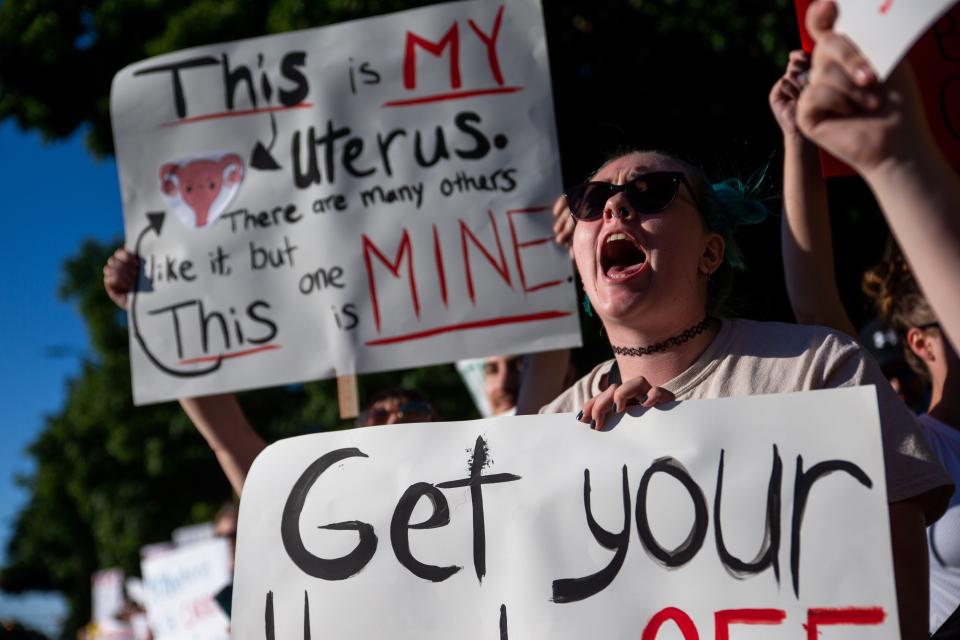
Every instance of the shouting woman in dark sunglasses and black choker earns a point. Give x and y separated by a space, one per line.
654 246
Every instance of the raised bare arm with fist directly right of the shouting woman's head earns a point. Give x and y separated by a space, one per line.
805 228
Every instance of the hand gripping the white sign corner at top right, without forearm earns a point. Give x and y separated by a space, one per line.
846 111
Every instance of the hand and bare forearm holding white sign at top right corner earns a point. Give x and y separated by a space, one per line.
879 129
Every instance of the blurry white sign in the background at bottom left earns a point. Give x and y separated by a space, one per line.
179 588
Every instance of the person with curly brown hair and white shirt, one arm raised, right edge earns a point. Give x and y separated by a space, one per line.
808 265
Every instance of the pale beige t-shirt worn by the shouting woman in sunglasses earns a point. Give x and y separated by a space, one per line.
752 358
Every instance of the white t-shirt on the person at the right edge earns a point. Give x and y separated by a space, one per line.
943 536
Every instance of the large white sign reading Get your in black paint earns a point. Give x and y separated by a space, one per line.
538 527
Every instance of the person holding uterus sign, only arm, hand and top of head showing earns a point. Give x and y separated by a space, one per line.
220 419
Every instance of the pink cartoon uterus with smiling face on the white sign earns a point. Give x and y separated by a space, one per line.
198 189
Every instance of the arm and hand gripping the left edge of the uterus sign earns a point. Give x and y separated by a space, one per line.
219 419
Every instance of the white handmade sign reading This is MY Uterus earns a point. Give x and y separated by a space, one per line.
362 197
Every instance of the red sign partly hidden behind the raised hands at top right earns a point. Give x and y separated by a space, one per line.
936 64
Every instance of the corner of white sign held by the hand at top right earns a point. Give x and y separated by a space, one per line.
885 30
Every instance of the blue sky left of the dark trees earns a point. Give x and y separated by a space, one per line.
56 196
